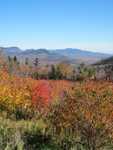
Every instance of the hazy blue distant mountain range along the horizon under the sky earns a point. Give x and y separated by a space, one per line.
69 55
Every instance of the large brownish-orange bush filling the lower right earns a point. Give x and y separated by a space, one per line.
83 118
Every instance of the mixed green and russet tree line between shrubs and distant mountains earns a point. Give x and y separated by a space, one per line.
61 71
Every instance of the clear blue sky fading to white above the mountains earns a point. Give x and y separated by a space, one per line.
53 24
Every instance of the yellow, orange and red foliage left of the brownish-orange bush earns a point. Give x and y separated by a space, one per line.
26 93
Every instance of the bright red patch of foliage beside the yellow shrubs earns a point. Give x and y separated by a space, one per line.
41 94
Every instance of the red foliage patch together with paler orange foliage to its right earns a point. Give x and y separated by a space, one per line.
46 91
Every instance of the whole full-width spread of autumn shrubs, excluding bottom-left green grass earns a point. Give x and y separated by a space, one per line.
84 107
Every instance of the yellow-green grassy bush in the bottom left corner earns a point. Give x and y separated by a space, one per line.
25 135
